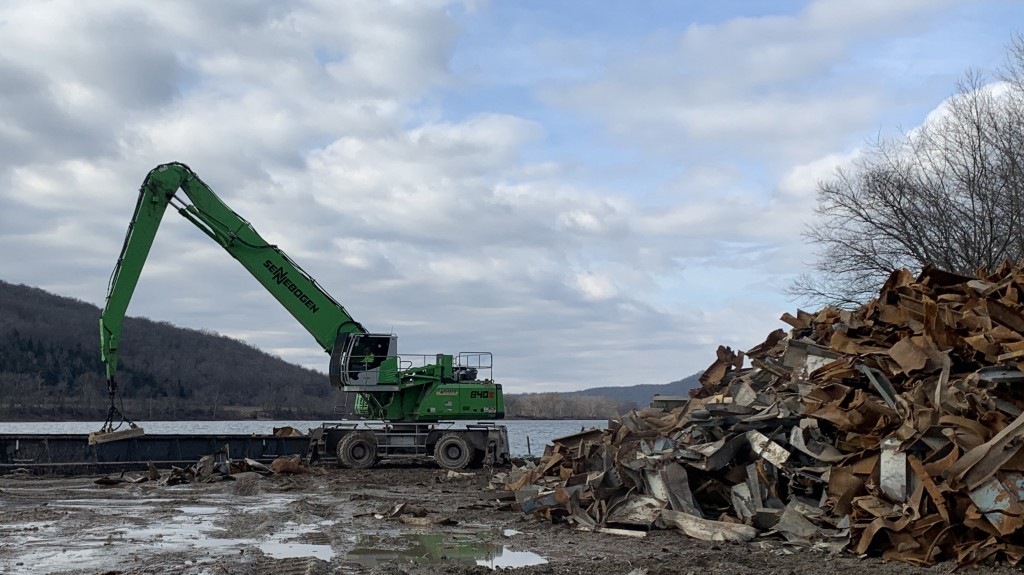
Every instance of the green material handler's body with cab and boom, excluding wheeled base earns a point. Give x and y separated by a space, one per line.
426 393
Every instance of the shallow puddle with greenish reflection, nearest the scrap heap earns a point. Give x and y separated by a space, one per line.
433 549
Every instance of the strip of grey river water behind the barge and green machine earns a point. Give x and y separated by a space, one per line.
526 436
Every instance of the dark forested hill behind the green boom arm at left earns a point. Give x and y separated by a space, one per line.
51 369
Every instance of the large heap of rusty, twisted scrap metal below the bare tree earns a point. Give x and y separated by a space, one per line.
895 430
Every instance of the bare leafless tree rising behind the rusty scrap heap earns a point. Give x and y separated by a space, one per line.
950 195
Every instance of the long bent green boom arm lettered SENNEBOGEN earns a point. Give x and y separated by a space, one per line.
303 297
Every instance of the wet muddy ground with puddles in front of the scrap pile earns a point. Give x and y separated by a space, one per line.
330 522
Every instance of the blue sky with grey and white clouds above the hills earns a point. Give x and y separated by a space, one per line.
599 193
